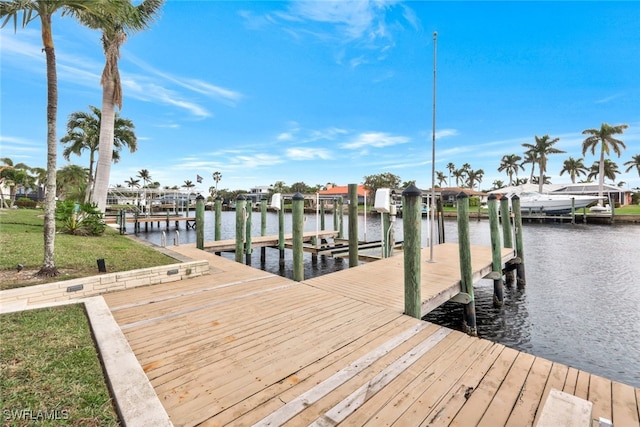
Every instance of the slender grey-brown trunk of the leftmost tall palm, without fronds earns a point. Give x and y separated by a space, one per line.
48 268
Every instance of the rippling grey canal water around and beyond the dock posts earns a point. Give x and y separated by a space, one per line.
581 305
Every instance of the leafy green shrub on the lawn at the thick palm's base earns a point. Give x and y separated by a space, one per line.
81 219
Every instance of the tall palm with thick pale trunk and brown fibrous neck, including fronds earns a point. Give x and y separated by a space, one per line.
114 33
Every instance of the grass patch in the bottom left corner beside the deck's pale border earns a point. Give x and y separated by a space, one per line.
50 373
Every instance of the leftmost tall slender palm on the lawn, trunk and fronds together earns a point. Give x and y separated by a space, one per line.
45 9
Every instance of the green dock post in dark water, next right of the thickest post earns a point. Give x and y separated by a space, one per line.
466 282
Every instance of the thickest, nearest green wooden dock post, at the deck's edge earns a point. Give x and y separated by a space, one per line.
412 220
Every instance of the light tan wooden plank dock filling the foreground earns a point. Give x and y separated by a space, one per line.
245 347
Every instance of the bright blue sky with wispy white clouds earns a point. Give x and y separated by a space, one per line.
320 91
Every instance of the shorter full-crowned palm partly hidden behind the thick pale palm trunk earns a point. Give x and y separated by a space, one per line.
83 133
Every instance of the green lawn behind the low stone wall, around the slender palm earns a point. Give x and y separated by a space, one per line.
22 242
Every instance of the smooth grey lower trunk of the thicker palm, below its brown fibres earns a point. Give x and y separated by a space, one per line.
105 146
